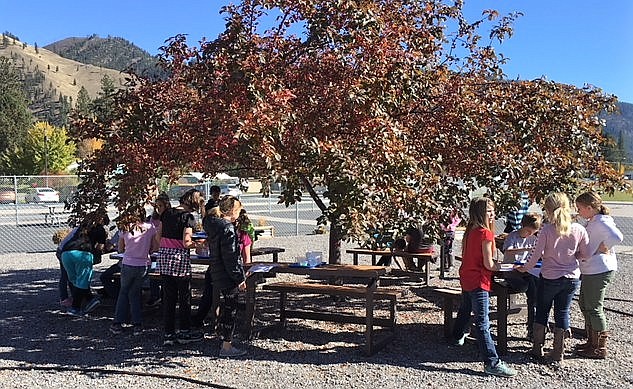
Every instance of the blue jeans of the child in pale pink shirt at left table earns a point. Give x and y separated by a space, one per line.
132 278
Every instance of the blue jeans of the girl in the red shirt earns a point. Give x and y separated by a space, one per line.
477 302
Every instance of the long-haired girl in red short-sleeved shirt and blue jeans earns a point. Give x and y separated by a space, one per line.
475 277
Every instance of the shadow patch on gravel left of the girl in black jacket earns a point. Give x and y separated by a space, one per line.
35 330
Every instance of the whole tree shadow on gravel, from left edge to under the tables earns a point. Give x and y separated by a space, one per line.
35 331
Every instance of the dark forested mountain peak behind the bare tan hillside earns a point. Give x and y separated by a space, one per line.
111 52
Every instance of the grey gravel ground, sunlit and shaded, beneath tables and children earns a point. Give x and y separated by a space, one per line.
42 347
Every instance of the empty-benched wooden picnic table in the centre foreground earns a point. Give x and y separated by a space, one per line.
370 274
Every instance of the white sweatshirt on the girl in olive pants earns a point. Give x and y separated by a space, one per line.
601 228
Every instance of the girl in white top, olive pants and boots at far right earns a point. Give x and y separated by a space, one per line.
597 271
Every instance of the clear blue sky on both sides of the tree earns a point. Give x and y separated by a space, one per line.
569 41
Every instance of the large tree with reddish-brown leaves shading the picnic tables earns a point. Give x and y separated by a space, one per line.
397 107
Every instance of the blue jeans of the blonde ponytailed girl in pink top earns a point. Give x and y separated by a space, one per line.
558 292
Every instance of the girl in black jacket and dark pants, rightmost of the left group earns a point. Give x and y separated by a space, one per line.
226 269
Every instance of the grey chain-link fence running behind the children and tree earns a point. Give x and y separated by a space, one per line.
30 214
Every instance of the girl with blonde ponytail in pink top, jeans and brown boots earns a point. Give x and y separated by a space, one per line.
560 244
